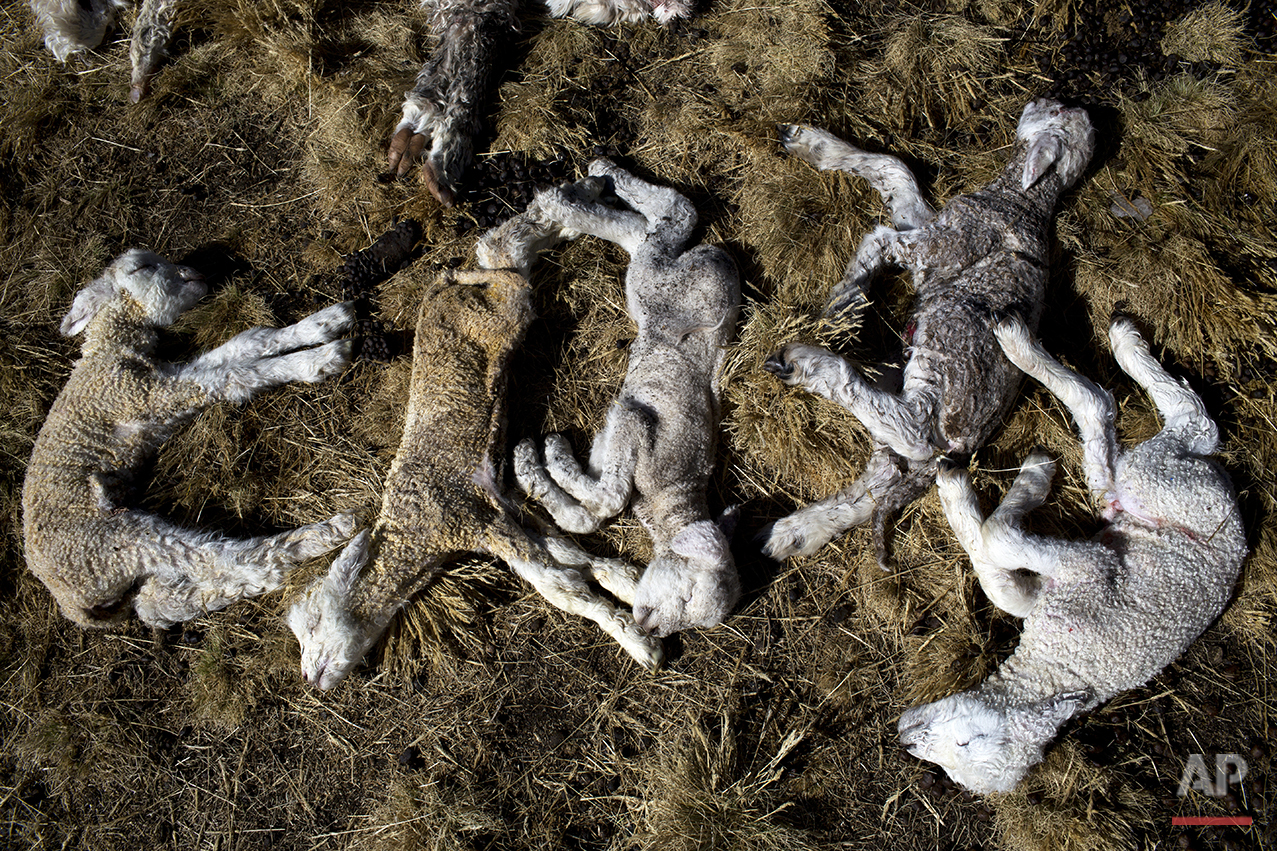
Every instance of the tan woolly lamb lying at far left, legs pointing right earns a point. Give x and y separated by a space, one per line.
95 554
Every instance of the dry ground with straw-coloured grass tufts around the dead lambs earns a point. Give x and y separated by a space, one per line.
488 720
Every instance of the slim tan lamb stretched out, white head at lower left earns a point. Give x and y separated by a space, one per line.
442 496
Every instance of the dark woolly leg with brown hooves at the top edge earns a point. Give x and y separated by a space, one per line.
444 109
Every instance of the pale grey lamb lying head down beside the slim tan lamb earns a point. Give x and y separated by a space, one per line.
658 443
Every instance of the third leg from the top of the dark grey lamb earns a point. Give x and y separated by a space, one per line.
901 424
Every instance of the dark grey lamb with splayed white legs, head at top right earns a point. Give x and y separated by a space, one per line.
985 254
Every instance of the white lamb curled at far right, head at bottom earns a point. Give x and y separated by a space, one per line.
1100 617
